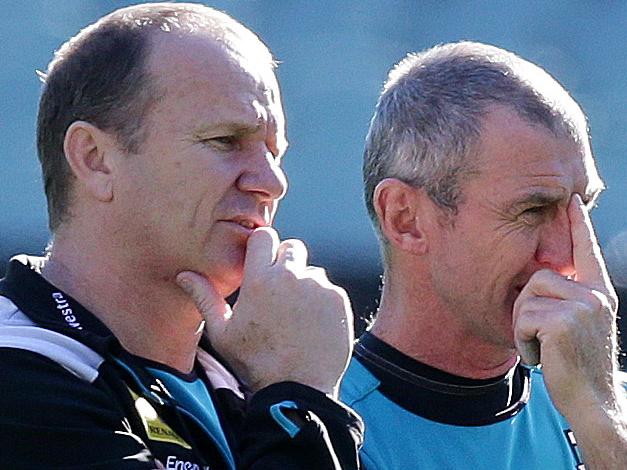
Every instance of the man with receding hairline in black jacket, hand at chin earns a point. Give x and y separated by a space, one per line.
160 135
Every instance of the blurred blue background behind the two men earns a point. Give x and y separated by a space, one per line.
334 58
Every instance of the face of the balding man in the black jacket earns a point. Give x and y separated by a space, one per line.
208 172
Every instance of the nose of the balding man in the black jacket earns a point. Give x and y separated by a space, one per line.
264 176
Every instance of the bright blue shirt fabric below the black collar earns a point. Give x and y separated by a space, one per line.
534 439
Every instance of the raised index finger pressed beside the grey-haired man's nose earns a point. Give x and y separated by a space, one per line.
589 265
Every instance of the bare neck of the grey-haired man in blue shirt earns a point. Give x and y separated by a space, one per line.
423 329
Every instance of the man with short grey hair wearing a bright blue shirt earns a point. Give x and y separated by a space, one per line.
479 178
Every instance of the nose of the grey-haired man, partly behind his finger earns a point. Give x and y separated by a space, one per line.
555 247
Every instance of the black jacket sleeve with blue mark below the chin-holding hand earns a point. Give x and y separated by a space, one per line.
292 426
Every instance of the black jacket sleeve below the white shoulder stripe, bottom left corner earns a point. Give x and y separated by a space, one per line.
49 418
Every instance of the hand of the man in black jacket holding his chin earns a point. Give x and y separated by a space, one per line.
290 323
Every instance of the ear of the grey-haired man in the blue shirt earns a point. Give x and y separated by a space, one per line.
399 208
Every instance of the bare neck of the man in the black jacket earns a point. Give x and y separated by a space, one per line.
146 311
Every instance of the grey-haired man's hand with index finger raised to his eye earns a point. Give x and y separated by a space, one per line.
568 325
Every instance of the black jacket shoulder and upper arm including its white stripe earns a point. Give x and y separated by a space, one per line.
55 407
